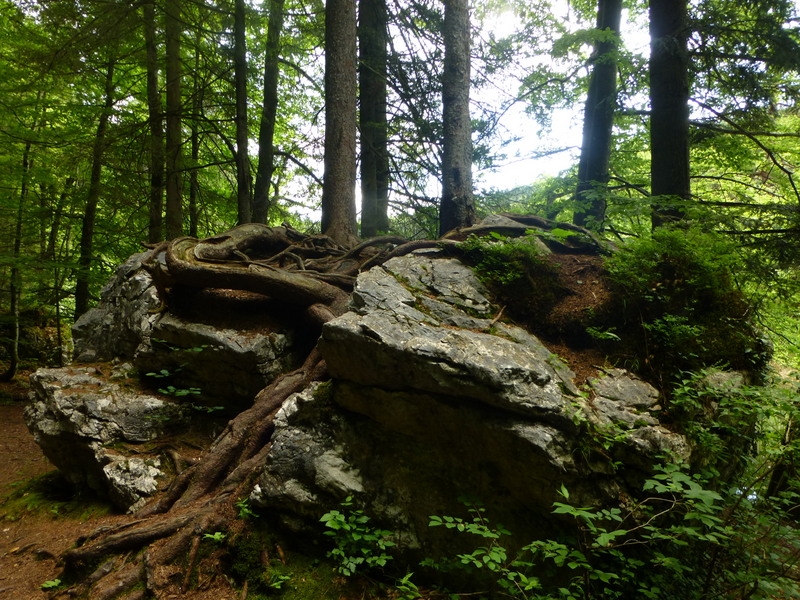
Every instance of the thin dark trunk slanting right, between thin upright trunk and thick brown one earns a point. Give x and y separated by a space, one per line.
269 110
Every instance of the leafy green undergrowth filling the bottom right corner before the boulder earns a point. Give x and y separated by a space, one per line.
681 540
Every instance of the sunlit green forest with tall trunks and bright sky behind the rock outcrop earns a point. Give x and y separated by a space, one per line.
127 125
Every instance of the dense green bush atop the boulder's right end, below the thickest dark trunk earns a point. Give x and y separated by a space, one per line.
676 293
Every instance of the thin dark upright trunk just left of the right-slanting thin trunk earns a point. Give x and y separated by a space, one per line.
243 199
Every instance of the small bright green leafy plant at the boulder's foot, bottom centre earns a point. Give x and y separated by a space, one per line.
357 543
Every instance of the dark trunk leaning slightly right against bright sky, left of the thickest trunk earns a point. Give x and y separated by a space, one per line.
598 121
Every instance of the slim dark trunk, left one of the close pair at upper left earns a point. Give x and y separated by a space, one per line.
155 229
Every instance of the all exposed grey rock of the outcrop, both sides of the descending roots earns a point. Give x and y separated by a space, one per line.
430 399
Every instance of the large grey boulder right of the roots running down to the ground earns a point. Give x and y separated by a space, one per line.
431 401
